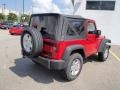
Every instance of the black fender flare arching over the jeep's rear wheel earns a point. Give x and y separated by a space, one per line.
69 50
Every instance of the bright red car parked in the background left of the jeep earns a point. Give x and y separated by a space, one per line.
17 29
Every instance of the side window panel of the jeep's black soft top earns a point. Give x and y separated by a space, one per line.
75 29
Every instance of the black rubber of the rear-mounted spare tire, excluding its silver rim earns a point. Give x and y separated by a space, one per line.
37 42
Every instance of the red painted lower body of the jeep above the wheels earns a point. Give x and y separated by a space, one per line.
91 47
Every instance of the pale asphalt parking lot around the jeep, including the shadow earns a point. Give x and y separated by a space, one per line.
22 74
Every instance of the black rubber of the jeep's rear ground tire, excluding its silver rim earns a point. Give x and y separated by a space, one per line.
66 73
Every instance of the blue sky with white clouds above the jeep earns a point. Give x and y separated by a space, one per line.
40 6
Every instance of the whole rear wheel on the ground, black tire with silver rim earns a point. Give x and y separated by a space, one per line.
74 66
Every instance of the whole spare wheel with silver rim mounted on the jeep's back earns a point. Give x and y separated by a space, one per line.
31 42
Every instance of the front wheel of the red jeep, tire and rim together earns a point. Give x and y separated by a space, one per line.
102 56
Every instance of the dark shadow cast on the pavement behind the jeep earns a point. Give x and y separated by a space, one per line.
25 67
